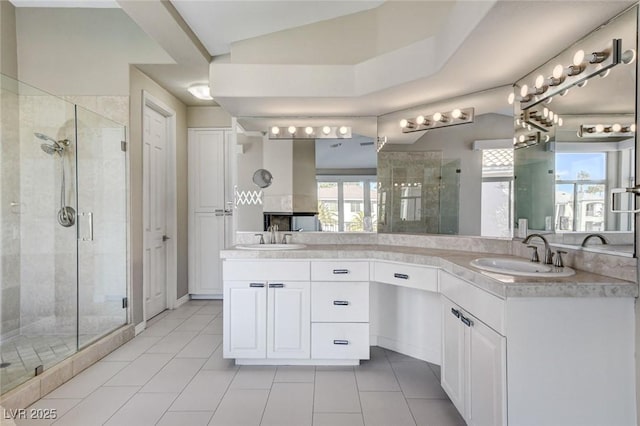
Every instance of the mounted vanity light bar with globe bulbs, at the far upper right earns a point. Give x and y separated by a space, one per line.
563 77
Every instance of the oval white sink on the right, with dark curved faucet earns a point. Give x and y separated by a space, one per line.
520 268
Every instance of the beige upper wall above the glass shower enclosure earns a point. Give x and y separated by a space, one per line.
81 51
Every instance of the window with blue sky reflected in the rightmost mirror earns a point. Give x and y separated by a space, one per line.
580 191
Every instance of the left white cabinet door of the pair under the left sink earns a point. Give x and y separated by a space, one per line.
244 319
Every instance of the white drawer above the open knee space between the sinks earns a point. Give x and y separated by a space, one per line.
419 277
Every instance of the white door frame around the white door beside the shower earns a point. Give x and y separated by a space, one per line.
150 101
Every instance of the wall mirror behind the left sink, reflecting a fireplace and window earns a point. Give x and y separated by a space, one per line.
323 179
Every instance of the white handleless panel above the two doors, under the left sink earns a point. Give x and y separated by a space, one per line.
280 270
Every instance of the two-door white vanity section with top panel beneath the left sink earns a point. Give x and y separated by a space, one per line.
266 310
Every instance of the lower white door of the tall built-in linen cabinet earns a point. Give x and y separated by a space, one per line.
208 238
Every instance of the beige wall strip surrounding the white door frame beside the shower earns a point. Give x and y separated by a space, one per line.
140 82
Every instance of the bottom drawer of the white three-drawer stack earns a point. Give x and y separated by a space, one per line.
340 340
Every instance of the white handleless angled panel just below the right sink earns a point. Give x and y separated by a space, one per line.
485 306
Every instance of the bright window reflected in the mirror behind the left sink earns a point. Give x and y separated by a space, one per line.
347 204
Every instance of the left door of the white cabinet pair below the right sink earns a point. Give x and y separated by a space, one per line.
453 354
